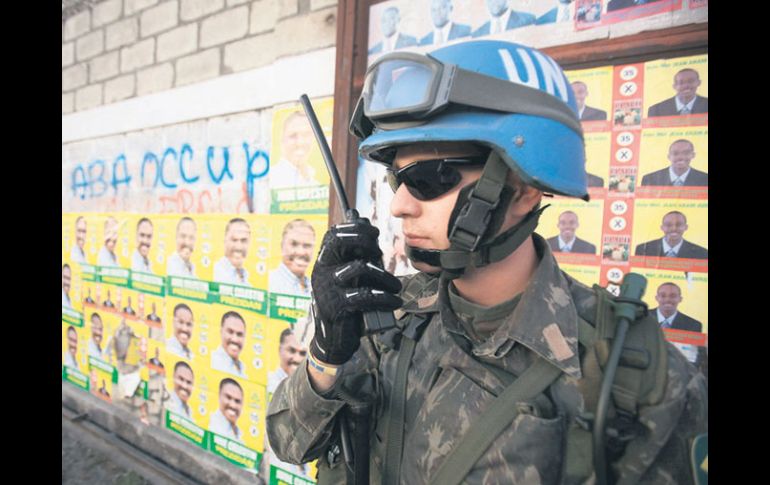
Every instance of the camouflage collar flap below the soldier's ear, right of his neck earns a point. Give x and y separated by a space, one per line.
545 319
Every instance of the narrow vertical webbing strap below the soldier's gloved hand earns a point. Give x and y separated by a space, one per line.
391 468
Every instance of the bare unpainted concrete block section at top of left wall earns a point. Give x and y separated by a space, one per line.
123 49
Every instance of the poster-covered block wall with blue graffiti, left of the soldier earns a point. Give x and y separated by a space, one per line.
170 113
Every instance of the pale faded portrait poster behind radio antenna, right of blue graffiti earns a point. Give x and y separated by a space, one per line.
298 177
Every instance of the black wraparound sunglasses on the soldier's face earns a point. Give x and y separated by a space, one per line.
428 179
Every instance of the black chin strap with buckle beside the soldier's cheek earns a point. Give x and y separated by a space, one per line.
472 221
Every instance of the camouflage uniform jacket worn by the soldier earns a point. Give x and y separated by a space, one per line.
448 389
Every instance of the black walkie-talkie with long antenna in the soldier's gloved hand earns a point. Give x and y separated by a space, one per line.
374 321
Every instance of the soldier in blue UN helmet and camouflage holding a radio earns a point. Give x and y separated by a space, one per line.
470 151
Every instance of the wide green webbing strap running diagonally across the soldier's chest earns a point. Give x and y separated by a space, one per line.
496 418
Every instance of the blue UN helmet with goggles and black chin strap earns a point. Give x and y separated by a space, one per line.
507 97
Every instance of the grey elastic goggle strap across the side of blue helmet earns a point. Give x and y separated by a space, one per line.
473 89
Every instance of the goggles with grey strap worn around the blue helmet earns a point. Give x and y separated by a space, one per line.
404 89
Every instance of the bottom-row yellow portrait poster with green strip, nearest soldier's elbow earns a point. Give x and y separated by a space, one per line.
235 416
